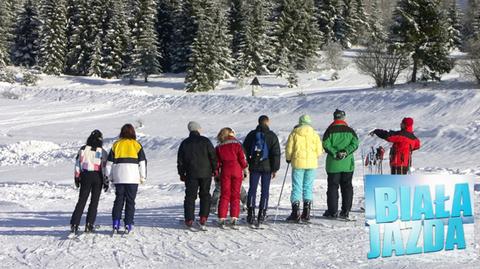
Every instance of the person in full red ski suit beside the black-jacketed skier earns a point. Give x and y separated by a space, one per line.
231 163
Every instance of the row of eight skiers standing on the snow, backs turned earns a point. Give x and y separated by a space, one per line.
230 163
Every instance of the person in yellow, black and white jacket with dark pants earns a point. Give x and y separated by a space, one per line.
126 168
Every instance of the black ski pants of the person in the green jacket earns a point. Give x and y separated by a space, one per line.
344 180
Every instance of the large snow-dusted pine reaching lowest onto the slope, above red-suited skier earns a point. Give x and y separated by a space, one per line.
210 49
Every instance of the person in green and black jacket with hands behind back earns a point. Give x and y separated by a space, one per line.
340 142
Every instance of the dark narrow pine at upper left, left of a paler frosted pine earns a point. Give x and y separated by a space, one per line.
25 48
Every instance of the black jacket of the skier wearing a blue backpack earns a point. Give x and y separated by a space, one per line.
272 164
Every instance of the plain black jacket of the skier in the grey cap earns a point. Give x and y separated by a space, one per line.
196 157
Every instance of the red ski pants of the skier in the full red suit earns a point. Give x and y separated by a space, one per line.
231 184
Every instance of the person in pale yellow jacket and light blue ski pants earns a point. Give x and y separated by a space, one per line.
304 147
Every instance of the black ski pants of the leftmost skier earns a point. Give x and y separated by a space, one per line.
90 183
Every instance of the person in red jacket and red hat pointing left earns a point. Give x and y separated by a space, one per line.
404 143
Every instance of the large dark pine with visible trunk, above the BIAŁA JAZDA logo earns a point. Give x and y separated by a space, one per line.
417 29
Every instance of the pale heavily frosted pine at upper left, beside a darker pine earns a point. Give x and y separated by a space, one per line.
52 36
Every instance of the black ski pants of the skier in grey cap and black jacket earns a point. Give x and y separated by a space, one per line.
194 186
